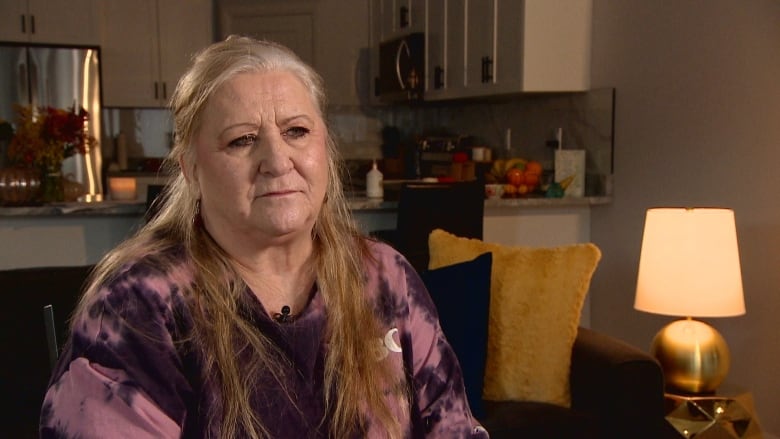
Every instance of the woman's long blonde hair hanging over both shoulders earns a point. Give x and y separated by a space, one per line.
354 380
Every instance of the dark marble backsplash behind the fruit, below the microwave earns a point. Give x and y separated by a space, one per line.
520 126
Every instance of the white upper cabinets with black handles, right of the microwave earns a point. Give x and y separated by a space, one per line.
497 47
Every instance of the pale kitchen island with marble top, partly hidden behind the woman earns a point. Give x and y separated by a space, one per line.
81 233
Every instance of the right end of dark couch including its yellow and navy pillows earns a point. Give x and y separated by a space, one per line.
549 377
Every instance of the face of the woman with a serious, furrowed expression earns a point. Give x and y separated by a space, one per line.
261 160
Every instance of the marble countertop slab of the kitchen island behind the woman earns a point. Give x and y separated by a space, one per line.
356 203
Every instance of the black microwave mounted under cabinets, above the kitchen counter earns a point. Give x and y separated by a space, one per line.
402 68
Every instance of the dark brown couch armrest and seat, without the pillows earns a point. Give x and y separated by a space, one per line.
616 390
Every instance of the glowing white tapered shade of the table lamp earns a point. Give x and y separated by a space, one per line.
689 264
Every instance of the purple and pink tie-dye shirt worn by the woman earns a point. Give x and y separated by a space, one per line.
129 372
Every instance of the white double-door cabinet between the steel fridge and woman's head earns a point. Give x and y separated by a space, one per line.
147 45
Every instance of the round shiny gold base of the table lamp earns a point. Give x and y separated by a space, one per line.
693 355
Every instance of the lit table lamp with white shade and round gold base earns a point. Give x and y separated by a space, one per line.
689 267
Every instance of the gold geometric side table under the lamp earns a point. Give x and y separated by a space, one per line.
729 416
